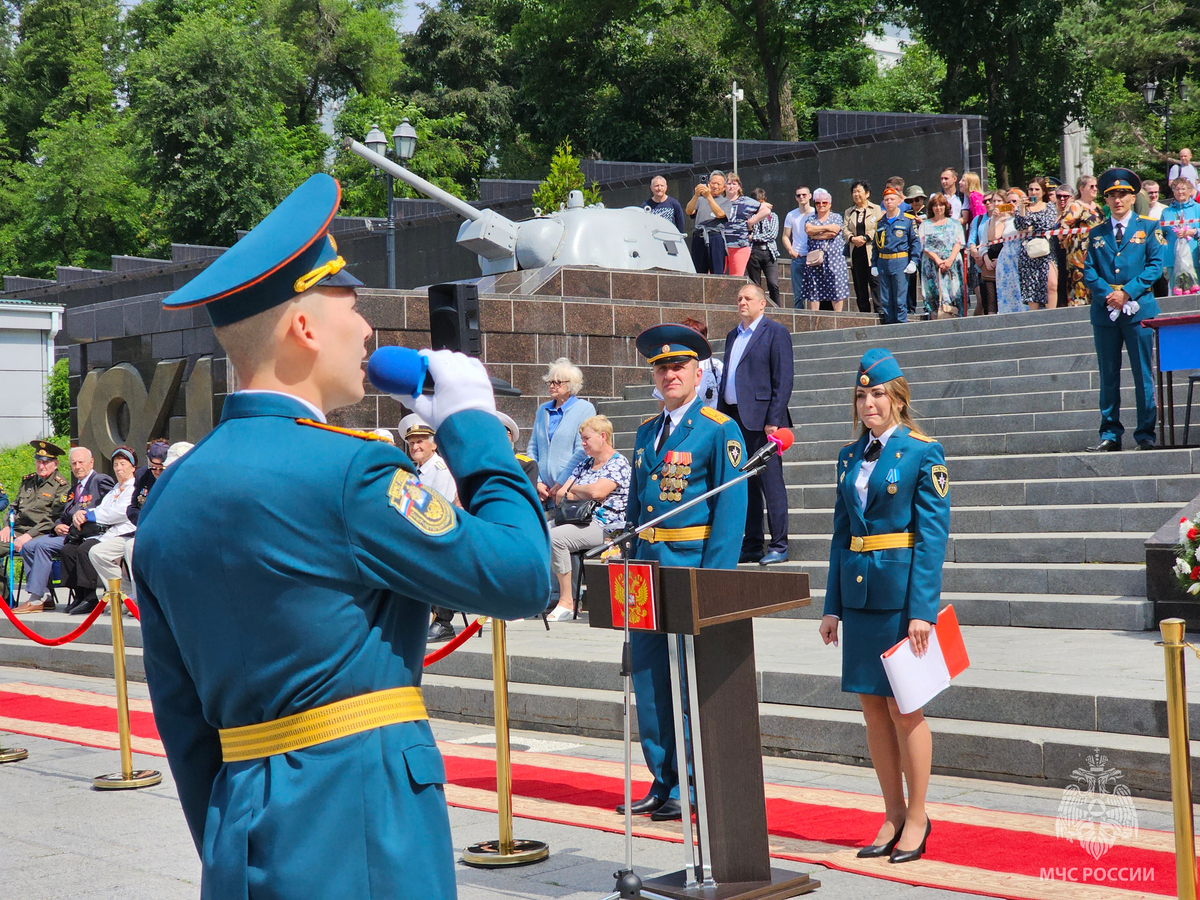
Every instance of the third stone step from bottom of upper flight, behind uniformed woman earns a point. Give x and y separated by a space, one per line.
1016 548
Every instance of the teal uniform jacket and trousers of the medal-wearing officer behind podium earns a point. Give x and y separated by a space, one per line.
715 442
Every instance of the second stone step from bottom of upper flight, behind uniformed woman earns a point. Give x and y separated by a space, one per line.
1120 579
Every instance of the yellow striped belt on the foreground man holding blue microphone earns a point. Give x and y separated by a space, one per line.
323 724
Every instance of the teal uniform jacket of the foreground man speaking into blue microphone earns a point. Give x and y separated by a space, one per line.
281 567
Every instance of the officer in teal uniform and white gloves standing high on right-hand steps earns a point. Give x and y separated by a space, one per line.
1125 257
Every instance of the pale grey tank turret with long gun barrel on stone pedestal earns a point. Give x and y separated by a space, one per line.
629 238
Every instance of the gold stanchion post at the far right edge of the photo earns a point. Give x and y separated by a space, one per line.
1181 759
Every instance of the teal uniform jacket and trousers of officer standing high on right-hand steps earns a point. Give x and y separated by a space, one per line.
1136 266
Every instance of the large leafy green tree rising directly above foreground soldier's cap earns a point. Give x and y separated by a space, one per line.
209 106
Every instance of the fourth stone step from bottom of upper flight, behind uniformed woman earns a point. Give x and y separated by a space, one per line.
1139 520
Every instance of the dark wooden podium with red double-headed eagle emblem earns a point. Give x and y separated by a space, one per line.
710 613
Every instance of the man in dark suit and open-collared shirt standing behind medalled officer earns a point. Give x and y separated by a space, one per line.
757 388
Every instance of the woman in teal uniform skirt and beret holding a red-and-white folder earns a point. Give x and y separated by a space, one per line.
891 525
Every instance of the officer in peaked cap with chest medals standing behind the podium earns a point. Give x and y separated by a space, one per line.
685 452
